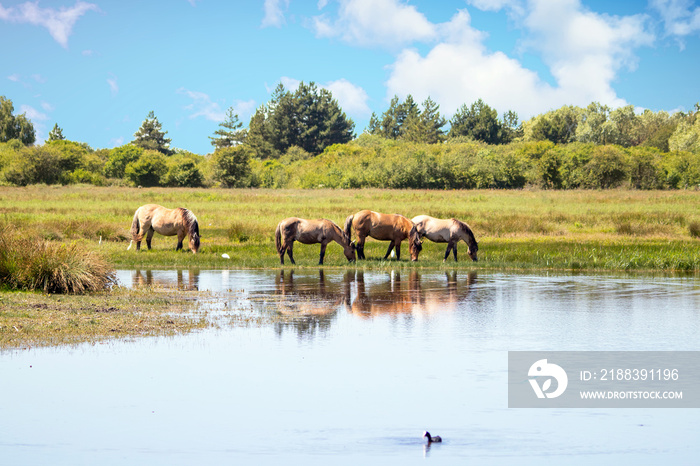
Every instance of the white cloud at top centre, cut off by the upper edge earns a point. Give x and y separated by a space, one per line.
389 23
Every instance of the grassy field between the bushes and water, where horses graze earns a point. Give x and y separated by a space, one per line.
516 229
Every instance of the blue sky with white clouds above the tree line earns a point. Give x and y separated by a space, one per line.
96 68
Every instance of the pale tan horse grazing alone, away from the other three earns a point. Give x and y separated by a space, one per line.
150 218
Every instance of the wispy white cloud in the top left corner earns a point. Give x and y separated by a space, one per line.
59 23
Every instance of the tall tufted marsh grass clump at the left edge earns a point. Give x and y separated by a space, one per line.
36 264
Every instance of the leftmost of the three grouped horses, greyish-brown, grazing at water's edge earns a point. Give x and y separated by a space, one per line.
310 232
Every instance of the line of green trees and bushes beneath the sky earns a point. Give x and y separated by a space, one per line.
302 138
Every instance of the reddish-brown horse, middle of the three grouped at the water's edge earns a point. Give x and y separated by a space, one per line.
384 227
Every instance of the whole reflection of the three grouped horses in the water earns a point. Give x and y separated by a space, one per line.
315 300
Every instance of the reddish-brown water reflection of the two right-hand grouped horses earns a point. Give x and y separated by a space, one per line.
409 296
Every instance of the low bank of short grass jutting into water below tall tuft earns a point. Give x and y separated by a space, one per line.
30 319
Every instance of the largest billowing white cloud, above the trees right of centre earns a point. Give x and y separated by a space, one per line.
584 51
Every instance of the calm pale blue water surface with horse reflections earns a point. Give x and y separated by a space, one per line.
368 362
